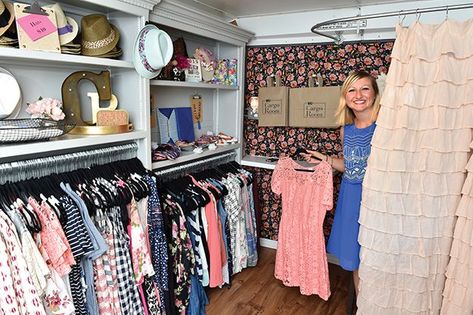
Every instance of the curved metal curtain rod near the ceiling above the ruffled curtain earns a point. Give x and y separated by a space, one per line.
338 39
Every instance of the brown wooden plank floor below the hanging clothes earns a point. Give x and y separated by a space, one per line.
256 291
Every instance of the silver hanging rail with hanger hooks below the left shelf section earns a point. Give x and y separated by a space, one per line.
39 167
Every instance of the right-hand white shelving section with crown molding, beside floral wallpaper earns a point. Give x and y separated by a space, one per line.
222 104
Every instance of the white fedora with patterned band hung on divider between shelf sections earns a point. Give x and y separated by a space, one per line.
153 50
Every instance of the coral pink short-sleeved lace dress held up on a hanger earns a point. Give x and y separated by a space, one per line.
301 259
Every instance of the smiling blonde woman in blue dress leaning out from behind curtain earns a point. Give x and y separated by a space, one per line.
357 113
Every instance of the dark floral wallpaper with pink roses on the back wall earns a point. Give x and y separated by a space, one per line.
295 64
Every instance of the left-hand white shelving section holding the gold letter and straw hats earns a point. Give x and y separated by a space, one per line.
42 74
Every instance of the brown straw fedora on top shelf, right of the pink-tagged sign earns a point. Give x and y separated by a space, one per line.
99 36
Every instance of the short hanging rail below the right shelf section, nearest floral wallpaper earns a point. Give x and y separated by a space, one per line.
174 172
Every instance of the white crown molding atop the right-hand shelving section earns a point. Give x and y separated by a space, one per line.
177 15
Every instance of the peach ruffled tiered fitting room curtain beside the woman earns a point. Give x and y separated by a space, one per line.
416 171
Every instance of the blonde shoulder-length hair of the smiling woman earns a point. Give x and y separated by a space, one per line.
344 114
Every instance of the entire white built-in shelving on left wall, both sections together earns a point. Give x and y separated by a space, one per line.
42 74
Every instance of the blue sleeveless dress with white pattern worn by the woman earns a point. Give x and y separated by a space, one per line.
343 241
